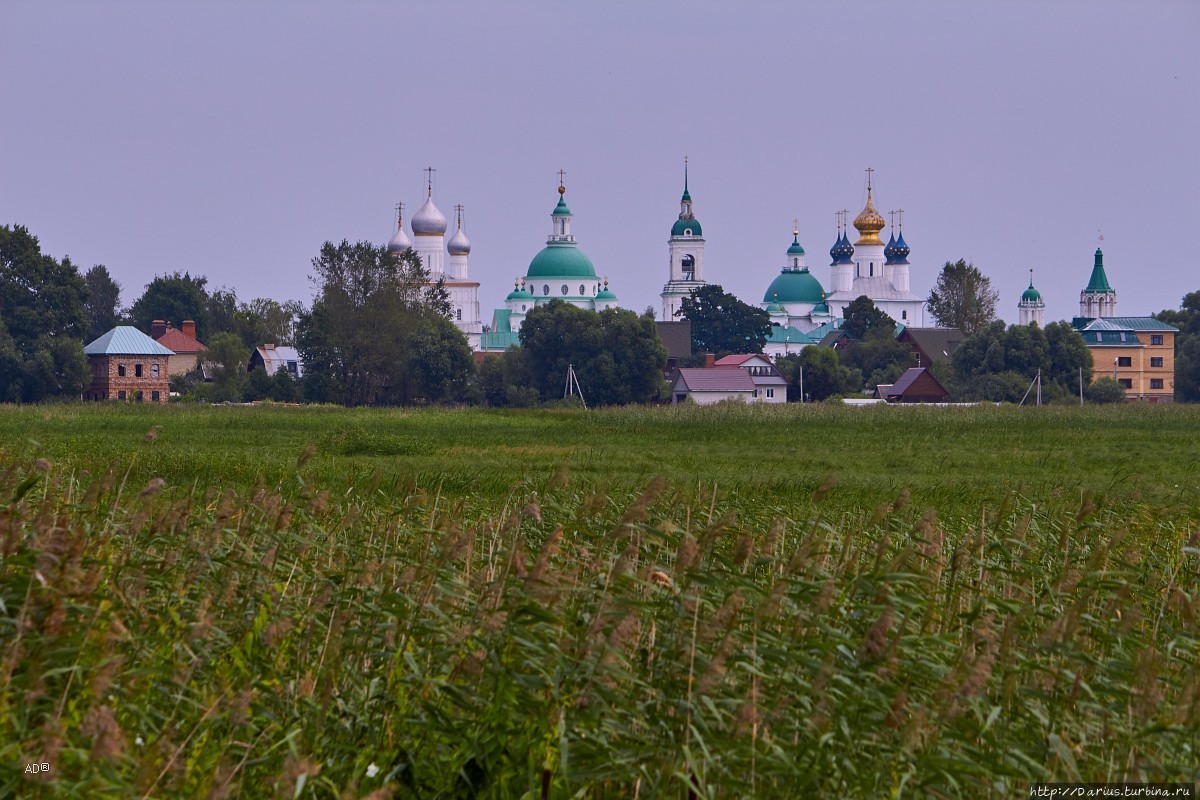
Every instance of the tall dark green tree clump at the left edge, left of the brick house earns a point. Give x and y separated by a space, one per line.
43 322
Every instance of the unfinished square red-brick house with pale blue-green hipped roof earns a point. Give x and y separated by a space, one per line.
128 365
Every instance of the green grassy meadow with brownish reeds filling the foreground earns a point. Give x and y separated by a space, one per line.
681 603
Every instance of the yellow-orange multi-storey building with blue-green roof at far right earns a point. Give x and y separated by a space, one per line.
1137 352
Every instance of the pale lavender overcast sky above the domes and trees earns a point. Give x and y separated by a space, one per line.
231 140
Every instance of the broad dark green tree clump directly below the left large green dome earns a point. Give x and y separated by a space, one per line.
617 356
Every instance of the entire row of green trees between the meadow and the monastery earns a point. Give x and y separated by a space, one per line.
379 333
